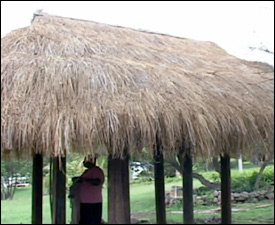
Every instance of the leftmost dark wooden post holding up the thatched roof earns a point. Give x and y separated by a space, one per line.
37 188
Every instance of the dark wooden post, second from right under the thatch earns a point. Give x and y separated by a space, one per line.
188 214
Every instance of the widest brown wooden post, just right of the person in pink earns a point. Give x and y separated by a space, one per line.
118 191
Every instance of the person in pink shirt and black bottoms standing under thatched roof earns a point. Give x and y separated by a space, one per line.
90 193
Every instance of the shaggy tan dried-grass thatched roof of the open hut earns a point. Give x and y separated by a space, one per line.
70 85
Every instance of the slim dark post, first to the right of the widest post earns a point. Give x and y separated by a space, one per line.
159 186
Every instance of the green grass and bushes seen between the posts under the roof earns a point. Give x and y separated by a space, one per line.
18 210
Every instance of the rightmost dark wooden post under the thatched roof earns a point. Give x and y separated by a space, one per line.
225 190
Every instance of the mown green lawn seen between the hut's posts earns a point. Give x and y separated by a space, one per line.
18 210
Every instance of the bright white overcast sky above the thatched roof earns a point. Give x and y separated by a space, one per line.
241 28
